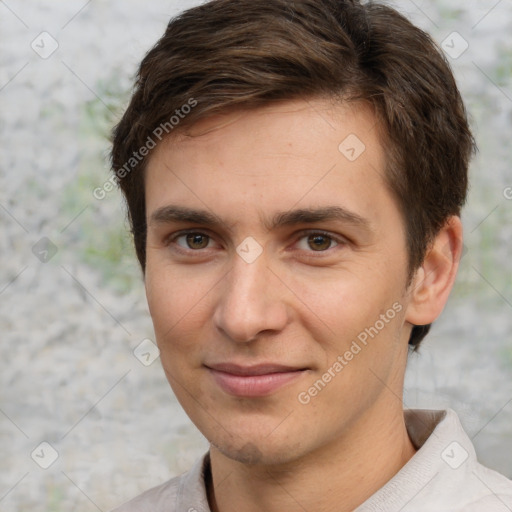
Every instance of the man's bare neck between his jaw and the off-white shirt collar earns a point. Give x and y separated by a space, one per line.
340 476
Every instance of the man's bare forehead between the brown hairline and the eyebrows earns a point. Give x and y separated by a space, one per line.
296 153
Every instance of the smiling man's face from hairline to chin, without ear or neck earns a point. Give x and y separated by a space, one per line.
280 332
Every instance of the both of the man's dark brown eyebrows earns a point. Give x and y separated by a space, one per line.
174 213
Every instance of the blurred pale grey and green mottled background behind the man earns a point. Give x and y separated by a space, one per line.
74 375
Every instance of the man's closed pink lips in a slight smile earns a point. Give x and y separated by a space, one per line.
253 381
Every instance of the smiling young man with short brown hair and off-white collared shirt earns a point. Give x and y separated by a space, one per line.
294 173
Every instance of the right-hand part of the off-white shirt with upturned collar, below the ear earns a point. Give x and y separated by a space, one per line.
444 475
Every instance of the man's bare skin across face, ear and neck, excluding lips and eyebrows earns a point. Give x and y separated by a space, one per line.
301 302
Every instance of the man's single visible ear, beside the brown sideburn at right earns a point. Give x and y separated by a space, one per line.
433 281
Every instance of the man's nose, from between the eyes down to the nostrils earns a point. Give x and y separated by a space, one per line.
251 301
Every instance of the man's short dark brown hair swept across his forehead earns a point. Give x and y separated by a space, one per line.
230 54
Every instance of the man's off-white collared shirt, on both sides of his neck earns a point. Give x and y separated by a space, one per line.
443 476
